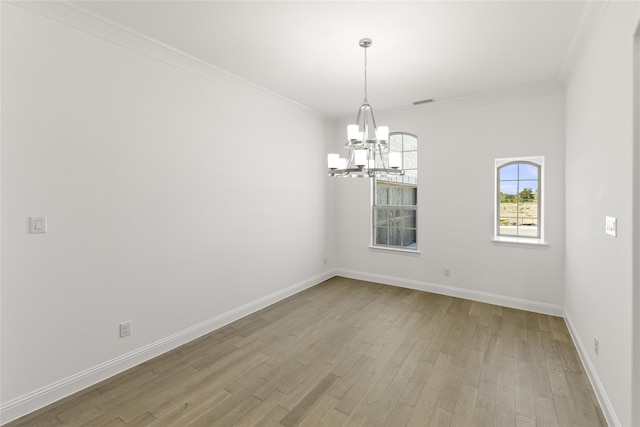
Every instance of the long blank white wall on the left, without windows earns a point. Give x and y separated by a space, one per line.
169 201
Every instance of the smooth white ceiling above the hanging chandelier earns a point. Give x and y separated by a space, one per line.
308 50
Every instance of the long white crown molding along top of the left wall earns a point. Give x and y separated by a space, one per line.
88 22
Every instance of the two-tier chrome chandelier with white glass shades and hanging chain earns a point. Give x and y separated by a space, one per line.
367 145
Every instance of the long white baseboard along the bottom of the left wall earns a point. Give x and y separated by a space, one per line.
44 396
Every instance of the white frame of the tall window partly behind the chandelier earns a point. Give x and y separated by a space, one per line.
375 207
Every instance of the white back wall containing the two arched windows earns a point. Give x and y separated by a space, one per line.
457 146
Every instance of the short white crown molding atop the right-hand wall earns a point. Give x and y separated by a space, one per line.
592 13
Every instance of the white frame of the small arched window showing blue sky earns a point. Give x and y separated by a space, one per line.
537 161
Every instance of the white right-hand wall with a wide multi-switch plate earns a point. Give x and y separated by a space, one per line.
599 152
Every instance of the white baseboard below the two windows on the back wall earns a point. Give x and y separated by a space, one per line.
505 301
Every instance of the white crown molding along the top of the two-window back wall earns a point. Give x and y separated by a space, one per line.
491 97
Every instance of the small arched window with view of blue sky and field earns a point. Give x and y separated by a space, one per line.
519 198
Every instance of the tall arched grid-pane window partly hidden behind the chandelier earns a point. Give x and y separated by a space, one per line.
395 198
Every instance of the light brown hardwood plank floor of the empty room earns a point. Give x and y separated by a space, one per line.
351 353
